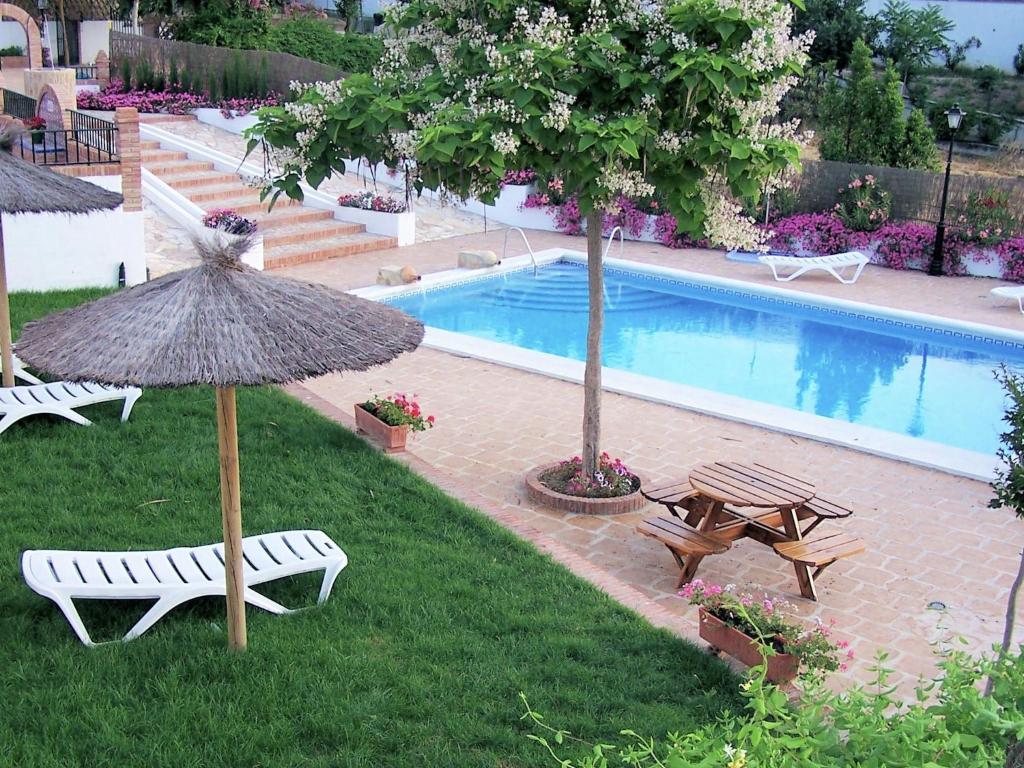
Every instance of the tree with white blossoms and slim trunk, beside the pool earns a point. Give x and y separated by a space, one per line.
617 99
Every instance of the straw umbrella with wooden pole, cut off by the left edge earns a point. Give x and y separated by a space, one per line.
26 188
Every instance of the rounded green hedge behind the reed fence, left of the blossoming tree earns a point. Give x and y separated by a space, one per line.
310 38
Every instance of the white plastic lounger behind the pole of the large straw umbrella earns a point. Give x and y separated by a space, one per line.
178 576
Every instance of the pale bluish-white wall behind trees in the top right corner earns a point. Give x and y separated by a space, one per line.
1000 27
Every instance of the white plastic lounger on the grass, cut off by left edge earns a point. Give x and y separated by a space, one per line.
61 399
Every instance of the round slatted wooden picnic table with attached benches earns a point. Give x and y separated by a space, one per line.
723 502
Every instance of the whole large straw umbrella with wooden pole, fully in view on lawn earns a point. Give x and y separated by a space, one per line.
223 324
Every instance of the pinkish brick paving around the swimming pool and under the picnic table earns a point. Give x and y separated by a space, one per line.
931 535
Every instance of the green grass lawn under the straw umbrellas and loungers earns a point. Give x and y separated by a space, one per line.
440 621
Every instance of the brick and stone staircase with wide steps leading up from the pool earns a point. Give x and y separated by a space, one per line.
292 234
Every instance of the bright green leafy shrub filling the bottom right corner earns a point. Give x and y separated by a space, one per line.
949 726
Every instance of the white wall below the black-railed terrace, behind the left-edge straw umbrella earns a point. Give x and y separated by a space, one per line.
52 251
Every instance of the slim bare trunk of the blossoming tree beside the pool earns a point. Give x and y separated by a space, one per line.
595 325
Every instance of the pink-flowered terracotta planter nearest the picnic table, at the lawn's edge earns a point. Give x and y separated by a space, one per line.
758 633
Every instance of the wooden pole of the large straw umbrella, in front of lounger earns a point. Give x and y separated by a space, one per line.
231 508
